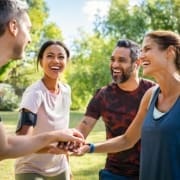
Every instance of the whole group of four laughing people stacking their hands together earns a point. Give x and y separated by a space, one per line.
140 116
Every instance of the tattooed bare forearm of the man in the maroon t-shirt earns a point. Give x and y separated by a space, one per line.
86 125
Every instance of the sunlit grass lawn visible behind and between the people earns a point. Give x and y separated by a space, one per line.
84 168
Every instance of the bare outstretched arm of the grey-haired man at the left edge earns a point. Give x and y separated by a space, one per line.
15 146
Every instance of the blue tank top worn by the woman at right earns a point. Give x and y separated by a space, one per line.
160 144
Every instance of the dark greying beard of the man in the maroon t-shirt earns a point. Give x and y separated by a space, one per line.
123 77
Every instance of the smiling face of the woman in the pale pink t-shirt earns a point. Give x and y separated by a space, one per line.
54 61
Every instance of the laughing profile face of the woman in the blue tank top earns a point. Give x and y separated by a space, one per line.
153 59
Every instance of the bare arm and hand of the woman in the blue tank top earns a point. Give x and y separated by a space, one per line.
131 136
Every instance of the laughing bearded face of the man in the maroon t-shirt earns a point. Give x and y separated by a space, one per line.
121 65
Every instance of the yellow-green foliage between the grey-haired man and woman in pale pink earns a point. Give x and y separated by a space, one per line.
21 73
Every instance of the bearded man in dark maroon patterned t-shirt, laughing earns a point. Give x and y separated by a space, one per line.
117 104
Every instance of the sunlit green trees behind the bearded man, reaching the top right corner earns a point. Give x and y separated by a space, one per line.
89 69
